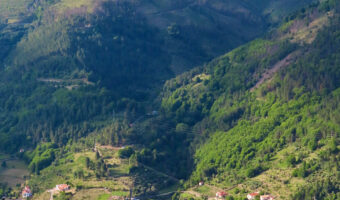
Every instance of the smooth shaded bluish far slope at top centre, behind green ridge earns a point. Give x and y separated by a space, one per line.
210 27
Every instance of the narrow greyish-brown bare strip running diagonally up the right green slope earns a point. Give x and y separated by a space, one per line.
275 68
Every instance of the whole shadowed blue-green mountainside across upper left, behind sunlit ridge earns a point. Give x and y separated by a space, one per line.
77 62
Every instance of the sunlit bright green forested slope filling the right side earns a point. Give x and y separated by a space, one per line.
265 117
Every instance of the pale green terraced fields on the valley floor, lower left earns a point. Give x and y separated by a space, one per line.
89 187
